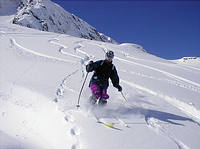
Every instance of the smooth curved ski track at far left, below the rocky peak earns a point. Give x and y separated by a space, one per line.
17 45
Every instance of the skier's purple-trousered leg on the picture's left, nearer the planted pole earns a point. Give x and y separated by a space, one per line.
96 93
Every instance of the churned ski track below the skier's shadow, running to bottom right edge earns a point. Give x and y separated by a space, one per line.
154 124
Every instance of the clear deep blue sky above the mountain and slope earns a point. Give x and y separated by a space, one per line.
168 29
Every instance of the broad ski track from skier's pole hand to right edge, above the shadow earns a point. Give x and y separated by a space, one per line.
184 107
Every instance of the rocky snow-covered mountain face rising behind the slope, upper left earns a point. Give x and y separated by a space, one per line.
48 16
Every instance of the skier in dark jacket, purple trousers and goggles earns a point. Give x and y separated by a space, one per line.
103 70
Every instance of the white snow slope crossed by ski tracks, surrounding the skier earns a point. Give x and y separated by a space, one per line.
41 76
